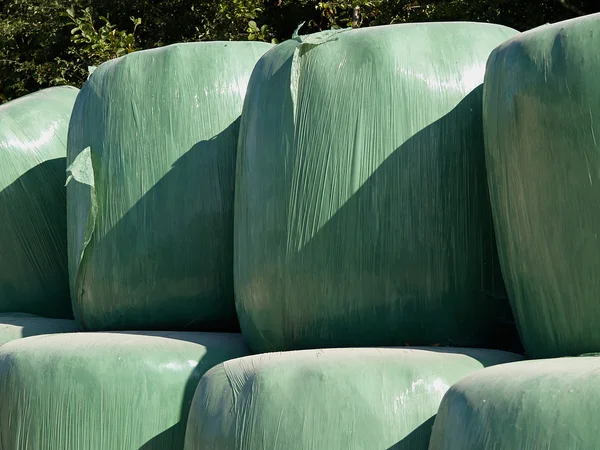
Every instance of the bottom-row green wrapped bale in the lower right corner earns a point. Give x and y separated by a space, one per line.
531 405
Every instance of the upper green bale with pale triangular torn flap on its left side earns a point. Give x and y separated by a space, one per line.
152 148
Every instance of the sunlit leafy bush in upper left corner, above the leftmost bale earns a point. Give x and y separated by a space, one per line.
39 47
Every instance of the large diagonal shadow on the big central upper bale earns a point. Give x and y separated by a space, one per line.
431 269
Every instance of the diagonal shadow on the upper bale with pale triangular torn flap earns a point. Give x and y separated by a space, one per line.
174 250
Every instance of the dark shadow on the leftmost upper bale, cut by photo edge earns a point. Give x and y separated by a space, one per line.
33 243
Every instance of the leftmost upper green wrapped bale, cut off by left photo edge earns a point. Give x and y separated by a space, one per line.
33 224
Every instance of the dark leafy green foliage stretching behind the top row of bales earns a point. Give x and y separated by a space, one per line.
51 42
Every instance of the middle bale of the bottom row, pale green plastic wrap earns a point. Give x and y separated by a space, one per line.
334 399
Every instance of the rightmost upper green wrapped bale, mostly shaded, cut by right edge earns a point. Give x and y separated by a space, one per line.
542 123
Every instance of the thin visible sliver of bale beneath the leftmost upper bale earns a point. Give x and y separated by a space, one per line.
16 326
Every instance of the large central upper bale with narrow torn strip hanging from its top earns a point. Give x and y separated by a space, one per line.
362 212
